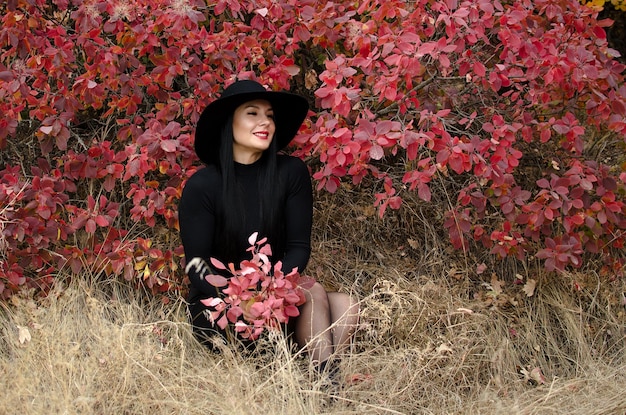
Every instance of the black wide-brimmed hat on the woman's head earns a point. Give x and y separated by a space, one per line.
289 109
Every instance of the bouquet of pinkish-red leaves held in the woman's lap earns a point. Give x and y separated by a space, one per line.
258 295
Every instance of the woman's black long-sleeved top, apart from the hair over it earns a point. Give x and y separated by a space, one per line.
197 216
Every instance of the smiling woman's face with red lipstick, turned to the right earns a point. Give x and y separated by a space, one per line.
253 130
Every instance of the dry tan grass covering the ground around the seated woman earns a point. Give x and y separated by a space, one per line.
434 338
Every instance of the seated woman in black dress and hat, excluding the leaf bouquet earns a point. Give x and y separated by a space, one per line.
247 187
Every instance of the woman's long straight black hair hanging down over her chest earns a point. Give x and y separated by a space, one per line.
231 211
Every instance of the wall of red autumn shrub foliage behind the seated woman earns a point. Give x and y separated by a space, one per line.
510 116
